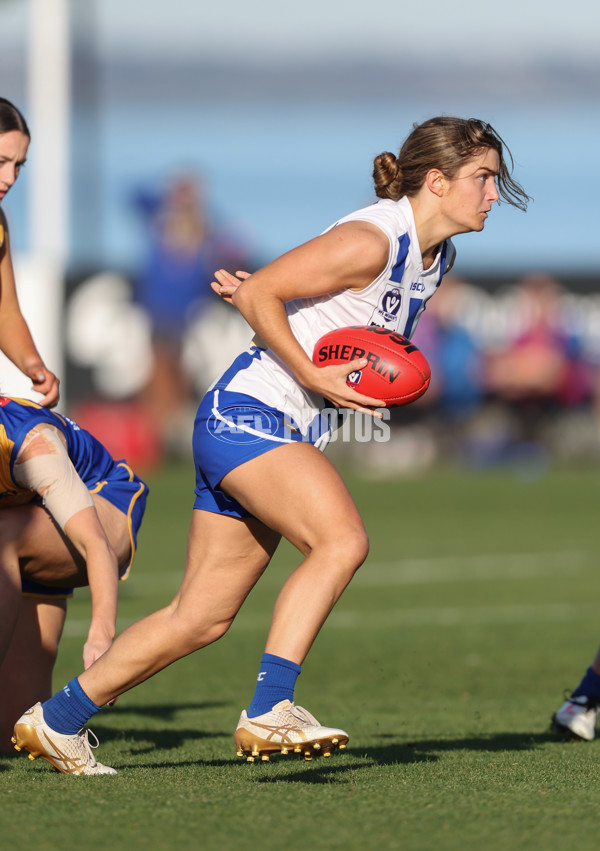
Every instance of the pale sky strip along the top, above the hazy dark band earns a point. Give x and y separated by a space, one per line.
477 31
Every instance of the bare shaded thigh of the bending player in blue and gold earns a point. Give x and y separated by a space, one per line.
45 553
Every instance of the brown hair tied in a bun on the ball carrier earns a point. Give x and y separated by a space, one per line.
445 143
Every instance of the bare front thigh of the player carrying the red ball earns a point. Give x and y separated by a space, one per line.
297 491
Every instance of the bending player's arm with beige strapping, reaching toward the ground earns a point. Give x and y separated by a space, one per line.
43 465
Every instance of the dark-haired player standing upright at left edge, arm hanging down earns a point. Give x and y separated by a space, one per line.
15 338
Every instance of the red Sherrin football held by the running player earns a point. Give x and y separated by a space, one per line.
397 371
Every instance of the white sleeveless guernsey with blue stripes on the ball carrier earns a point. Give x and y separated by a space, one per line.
394 300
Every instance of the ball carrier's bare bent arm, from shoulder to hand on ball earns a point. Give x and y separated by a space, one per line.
349 256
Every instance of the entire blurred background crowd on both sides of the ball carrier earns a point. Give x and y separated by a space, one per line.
515 368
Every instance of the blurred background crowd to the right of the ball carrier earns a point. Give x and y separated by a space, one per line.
515 377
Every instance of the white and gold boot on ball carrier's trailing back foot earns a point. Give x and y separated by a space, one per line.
68 754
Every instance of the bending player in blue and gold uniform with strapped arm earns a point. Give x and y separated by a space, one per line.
69 516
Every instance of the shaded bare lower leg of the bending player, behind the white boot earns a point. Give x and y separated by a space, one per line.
26 673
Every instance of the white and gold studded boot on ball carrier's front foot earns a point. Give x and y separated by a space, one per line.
287 728
